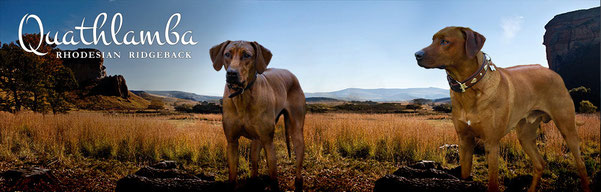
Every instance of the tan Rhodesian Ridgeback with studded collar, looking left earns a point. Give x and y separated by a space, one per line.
489 101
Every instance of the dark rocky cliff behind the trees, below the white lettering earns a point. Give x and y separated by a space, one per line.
91 75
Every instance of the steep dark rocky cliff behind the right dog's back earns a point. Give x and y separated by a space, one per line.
572 41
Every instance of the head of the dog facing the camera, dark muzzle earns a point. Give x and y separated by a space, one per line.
242 60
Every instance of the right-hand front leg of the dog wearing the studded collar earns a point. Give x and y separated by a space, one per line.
492 157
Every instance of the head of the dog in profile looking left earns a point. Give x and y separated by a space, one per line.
449 45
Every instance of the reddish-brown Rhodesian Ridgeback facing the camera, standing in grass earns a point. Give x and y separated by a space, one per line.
253 100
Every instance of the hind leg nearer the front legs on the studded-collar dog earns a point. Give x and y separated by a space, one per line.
526 132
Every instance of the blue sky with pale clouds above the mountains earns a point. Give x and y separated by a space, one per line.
329 45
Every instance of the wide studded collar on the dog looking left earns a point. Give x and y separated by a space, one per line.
461 86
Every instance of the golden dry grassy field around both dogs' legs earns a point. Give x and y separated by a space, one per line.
344 152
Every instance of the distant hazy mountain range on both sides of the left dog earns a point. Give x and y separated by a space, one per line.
350 94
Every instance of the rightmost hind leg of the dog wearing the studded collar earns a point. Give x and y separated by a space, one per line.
565 121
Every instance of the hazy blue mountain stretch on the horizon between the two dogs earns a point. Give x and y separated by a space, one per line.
383 95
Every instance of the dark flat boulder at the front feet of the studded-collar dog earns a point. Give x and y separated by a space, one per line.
426 176
